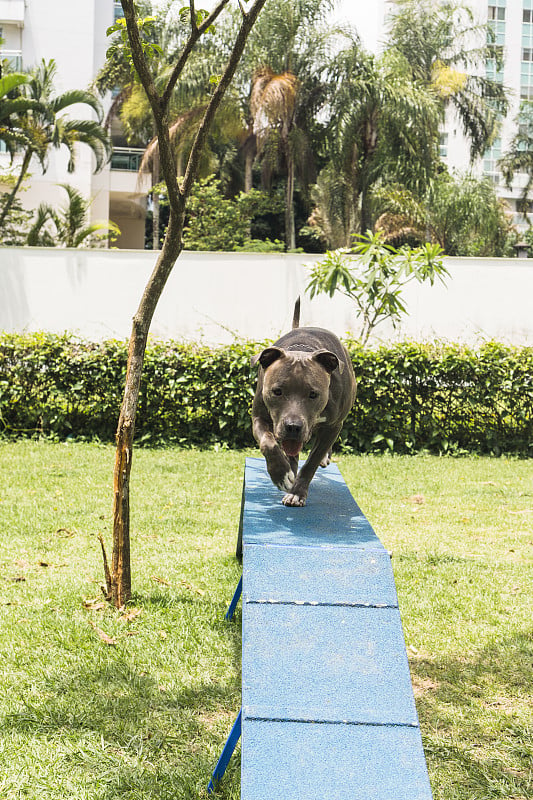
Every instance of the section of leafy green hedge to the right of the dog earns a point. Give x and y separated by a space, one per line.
442 398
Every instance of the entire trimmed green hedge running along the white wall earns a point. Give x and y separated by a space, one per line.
411 397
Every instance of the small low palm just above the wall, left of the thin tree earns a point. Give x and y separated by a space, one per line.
69 226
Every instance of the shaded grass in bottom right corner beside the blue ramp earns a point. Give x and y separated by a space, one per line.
476 717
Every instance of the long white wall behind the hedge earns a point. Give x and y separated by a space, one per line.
217 296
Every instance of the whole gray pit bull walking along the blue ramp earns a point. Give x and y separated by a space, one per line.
305 388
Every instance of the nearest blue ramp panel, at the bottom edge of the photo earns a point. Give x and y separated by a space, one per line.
296 761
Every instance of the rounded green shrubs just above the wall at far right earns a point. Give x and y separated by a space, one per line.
462 213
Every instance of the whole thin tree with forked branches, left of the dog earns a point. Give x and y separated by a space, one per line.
118 574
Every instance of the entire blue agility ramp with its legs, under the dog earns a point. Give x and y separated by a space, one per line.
327 705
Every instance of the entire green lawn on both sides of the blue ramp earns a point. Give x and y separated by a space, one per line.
143 713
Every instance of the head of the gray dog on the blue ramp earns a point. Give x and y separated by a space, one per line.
295 390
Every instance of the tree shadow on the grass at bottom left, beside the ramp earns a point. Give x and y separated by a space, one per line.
132 728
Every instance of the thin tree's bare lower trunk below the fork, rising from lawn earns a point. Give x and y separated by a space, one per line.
119 580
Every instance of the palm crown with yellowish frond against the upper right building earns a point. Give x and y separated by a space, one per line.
447 51
